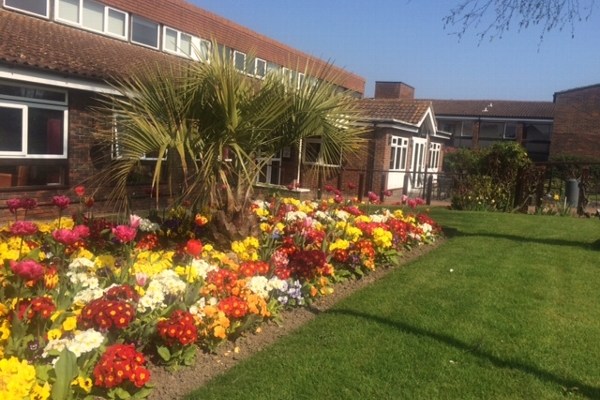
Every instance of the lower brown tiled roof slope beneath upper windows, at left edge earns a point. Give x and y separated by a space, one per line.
47 46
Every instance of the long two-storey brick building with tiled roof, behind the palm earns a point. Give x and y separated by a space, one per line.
57 57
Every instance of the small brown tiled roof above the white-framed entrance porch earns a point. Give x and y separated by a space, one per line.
404 110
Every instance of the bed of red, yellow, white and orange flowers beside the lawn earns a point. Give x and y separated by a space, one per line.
87 302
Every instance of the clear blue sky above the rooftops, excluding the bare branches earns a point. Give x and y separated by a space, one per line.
404 40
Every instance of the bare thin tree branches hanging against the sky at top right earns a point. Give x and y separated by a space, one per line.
492 18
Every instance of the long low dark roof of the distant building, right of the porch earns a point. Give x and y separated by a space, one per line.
494 108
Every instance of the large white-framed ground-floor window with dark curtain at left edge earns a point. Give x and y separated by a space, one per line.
33 136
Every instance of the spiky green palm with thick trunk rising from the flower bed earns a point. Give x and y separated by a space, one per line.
207 123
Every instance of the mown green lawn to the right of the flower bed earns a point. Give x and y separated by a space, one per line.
507 308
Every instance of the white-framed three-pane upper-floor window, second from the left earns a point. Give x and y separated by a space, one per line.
92 15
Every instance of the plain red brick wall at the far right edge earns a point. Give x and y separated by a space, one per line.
576 129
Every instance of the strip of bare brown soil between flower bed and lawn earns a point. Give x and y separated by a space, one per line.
169 385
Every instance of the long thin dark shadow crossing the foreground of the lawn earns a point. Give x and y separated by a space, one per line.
568 385
